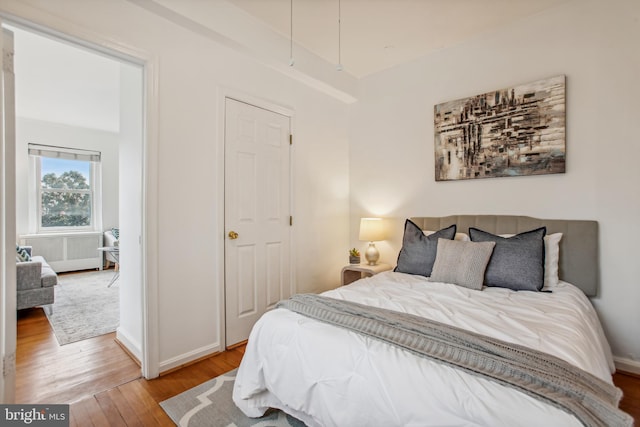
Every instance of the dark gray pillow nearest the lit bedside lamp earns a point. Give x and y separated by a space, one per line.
418 251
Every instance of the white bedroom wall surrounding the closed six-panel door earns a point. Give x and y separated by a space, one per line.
192 69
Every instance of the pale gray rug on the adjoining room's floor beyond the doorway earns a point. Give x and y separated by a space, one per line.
84 306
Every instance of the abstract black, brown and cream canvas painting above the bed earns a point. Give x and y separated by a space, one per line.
517 131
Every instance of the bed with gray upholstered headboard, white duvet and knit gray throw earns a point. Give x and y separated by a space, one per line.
327 374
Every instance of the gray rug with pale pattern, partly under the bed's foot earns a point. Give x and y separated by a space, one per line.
210 405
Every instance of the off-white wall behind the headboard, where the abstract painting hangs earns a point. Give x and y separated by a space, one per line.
595 44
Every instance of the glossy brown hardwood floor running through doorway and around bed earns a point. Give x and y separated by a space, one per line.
104 387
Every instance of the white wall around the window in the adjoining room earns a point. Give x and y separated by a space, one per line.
48 133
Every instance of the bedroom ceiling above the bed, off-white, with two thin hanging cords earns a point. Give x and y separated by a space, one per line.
379 34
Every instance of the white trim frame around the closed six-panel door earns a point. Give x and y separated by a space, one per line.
240 96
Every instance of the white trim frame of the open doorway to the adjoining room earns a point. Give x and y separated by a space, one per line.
60 28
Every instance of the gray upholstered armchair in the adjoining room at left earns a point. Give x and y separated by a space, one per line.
35 281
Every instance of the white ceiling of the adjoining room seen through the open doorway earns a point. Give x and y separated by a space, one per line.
87 99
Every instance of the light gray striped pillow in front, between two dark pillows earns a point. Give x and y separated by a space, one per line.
462 263
